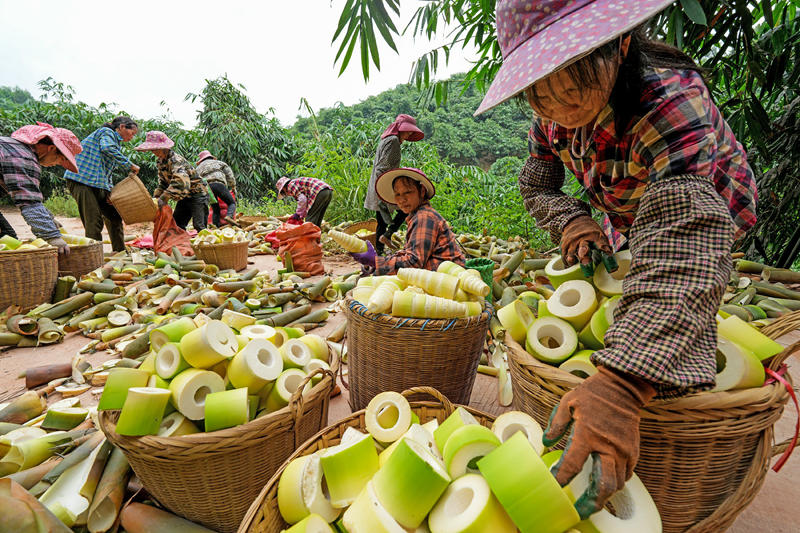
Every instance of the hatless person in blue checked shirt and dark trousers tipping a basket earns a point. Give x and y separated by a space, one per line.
91 184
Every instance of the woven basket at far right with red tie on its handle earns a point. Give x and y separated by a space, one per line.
703 457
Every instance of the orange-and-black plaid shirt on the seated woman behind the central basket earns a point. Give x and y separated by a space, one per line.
429 242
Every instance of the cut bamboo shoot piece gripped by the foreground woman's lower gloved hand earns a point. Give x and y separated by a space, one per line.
634 509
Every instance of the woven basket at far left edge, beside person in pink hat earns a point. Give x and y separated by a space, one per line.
27 278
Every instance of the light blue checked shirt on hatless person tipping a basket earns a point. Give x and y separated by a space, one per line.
100 156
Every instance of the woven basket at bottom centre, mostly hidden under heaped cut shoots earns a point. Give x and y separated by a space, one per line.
264 517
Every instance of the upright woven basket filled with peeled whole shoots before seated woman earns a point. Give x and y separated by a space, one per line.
394 353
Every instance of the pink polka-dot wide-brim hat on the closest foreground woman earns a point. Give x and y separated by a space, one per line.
539 37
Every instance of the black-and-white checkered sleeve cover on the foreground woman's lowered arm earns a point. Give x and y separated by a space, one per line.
664 329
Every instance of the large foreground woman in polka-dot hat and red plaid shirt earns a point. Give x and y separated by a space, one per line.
635 122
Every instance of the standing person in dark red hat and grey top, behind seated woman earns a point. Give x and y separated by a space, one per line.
387 156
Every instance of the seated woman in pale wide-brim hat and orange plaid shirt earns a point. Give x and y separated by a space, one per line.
429 240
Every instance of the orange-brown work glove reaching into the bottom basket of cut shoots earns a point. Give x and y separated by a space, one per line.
603 415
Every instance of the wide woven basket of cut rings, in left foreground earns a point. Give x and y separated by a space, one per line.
212 478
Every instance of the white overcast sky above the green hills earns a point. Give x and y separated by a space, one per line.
140 53
